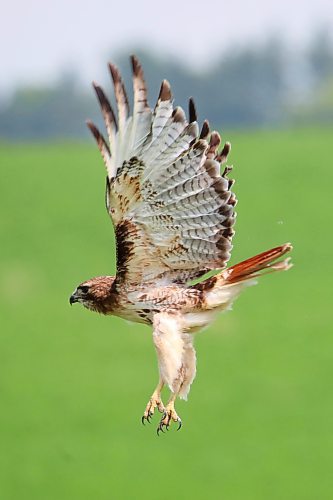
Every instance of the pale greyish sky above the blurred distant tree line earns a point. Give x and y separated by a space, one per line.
41 38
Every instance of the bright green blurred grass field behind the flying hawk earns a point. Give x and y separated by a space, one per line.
73 385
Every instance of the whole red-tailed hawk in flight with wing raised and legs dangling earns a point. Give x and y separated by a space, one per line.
173 213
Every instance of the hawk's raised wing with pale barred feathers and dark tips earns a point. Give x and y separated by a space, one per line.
172 210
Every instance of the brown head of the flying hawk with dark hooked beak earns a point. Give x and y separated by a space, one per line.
95 294
